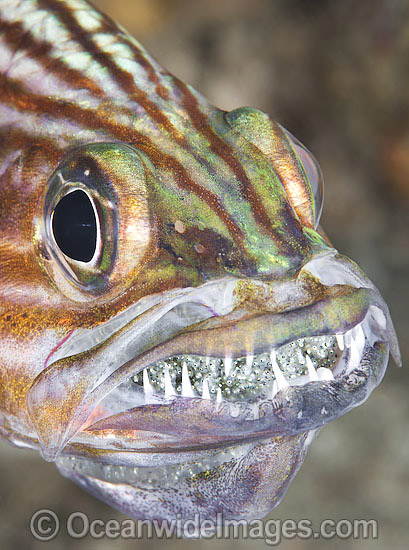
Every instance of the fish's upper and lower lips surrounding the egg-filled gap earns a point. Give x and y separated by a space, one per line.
75 403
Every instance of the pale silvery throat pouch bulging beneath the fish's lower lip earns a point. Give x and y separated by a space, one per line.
243 481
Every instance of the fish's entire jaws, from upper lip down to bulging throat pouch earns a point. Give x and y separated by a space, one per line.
216 415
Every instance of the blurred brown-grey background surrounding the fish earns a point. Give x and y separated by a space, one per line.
336 74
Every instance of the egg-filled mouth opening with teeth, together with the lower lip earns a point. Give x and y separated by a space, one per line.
294 387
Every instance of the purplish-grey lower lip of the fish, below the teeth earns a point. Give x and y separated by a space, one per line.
197 428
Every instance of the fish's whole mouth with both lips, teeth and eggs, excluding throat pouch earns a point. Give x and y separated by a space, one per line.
191 373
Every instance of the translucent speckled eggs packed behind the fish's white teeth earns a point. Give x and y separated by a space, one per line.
244 377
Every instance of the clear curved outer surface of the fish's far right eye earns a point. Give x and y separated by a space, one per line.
313 172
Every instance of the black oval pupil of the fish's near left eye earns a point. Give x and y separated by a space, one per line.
75 227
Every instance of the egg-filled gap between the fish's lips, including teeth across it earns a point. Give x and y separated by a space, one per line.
245 377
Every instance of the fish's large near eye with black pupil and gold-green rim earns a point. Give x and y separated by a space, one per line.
94 226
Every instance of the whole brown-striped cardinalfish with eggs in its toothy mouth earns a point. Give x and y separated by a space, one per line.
175 326
